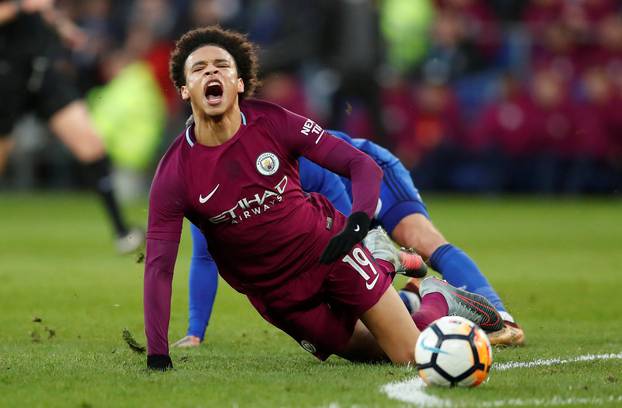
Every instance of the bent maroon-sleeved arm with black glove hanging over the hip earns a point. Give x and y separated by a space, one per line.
303 137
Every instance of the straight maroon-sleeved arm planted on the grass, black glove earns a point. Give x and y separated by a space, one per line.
163 232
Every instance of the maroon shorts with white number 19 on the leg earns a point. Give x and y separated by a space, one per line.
320 307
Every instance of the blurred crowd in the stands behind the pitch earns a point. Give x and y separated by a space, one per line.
472 95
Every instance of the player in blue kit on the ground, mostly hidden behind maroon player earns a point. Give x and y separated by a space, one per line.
400 211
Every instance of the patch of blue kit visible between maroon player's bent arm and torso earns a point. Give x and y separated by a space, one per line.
314 178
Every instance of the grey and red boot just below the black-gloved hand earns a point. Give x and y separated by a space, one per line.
405 262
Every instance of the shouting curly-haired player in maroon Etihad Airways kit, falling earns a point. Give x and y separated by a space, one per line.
234 174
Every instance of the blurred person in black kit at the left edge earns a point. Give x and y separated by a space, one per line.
30 81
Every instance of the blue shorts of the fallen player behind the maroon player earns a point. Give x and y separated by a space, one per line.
398 197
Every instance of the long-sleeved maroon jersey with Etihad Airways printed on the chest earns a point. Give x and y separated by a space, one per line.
245 196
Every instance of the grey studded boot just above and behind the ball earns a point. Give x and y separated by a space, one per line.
465 304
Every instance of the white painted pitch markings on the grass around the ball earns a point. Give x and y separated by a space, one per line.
413 390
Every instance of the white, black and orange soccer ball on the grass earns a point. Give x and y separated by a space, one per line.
453 351
